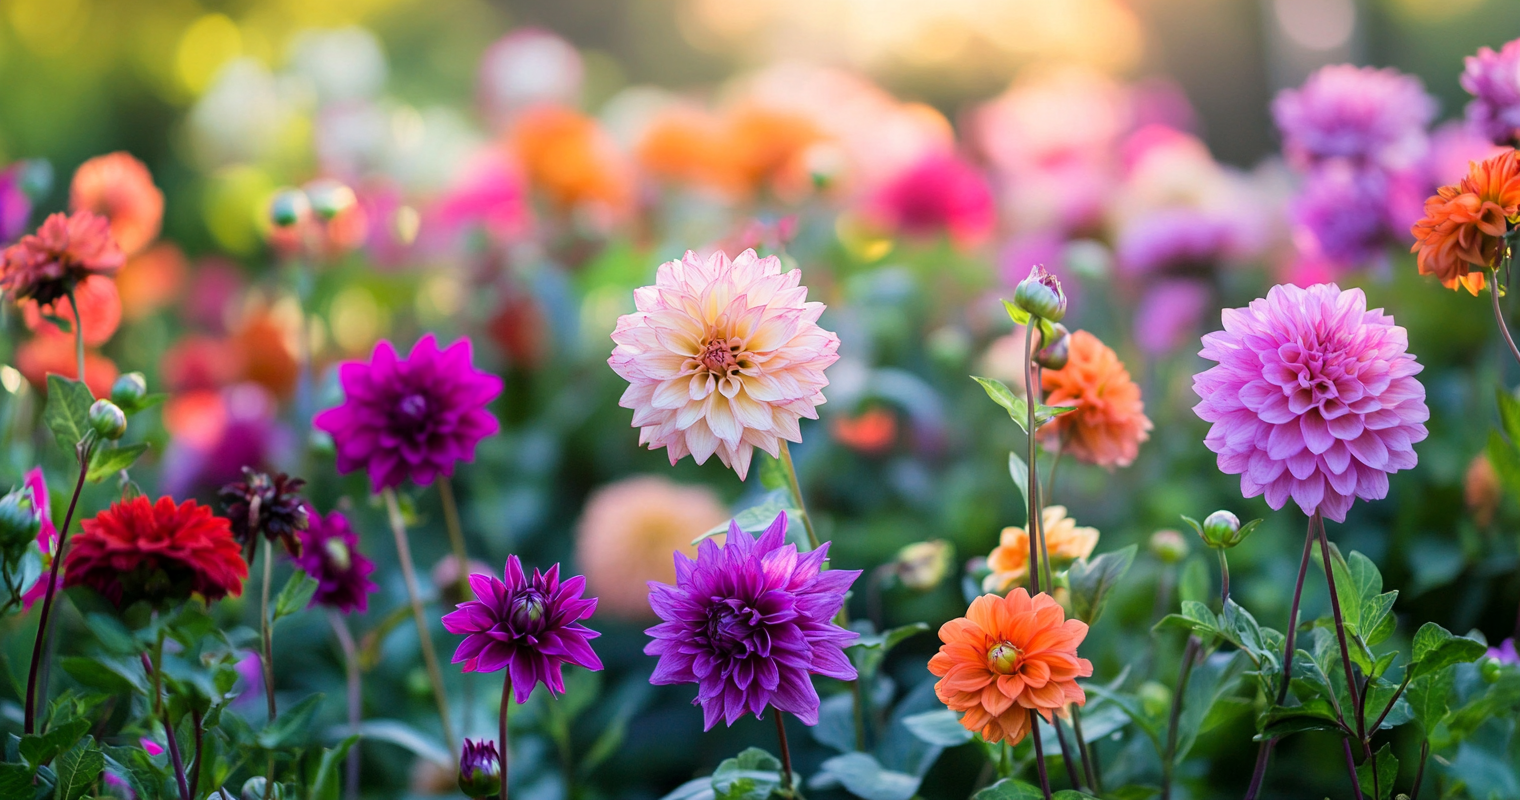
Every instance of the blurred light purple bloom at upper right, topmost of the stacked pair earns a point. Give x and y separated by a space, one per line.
1375 118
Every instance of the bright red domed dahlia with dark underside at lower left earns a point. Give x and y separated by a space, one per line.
156 551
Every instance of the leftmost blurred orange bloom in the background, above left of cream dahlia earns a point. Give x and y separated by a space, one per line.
569 157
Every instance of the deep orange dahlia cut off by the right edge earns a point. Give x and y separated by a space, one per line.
1465 224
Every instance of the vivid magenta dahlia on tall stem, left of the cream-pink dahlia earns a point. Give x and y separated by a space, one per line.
411 417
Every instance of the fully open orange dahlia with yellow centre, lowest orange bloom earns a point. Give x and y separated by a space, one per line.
1009 658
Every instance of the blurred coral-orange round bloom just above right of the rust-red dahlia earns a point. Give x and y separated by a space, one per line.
121 189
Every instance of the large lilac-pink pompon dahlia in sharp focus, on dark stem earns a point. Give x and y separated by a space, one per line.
1314 399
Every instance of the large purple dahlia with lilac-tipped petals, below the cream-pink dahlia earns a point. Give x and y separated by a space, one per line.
749 623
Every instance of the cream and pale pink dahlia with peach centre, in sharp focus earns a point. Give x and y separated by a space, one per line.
723 357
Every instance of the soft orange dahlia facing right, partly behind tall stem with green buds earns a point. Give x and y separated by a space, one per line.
1109 424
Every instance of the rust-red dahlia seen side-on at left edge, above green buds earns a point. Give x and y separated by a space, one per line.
66 250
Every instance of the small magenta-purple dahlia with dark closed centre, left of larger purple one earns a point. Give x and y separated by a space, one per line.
531 627
